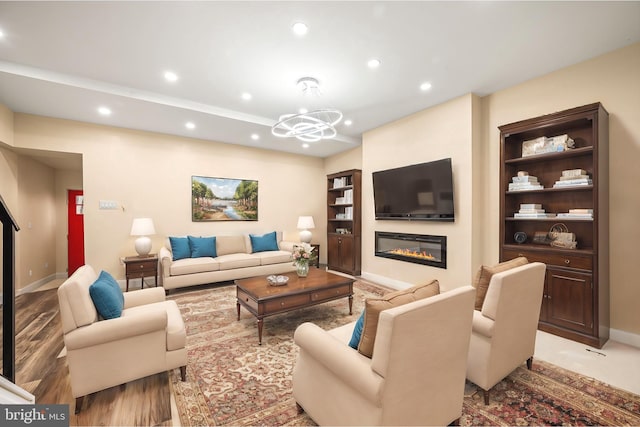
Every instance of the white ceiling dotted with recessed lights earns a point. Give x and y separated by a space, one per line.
66 59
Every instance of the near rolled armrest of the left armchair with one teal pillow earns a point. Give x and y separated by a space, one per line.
105 331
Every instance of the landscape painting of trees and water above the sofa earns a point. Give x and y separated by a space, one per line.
223 199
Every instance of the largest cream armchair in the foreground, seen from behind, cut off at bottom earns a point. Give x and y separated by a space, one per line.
416 374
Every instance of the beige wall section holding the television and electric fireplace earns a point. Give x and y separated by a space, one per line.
446 130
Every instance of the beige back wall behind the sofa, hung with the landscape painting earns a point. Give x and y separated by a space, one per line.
150 175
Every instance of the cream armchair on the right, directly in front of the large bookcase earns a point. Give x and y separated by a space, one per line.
504 331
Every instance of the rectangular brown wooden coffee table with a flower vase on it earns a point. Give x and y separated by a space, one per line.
262 300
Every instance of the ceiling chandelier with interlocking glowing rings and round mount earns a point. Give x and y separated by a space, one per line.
310 126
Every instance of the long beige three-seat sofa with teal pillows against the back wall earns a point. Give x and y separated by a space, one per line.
235 260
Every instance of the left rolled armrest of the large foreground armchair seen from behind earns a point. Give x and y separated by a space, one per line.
344 362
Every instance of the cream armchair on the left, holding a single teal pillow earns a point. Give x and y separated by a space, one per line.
148 338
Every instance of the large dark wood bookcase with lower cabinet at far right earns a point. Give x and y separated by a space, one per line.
576 296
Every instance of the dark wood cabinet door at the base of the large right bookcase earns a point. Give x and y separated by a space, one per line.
569 299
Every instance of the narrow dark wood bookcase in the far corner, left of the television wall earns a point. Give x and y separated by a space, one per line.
344 203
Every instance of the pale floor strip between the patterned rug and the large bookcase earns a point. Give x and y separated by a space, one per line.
615 363
